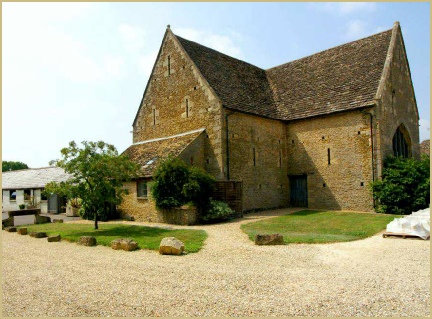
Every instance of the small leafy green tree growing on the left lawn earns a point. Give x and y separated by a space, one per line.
98 173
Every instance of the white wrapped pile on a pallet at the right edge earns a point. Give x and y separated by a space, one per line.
418 224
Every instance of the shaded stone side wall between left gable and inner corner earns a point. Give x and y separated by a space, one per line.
257 157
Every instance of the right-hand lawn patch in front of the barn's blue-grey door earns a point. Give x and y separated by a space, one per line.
310 226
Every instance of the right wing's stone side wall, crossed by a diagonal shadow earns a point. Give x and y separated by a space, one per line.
342 184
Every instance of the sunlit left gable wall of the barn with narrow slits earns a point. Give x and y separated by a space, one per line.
179 101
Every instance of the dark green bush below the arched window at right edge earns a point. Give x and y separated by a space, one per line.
405 186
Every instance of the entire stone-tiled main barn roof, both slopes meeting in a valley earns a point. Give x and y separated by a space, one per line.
342 78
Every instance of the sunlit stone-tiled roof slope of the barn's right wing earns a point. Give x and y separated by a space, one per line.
342 78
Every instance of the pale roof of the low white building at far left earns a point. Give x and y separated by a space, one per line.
33 178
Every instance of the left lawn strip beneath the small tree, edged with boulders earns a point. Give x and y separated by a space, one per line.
146 237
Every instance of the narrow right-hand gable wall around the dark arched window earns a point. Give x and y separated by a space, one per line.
396 106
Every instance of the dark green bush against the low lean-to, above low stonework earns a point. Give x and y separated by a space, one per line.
176 184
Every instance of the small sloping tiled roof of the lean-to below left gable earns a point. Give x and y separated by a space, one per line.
147 154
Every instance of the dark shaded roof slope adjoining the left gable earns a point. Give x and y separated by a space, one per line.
238 84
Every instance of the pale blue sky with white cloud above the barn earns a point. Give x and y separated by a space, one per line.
77 71
